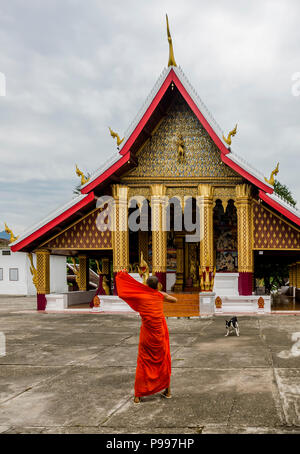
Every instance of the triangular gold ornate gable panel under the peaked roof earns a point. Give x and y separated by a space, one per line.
160 156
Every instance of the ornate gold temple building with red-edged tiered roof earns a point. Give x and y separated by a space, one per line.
175 156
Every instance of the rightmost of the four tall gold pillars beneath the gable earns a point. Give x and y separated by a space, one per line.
244 228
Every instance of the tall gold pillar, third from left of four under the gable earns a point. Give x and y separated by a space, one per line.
205 203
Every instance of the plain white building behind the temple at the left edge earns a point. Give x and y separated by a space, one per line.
15 276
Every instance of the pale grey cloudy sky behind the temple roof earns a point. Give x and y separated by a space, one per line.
75 67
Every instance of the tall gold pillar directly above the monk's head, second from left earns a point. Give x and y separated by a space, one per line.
159 234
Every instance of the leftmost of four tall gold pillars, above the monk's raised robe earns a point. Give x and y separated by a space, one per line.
120 228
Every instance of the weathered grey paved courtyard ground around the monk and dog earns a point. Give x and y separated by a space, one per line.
74 373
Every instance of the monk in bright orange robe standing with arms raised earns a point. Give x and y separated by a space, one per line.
153 371
